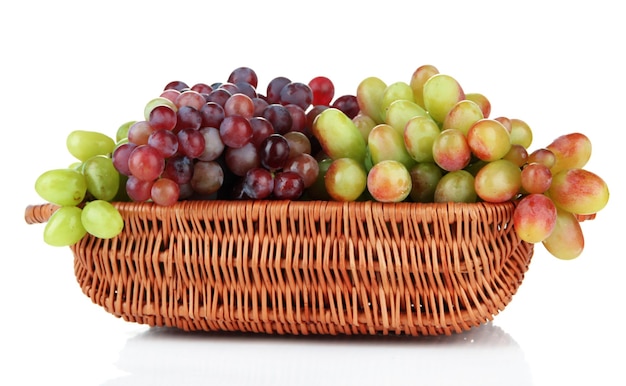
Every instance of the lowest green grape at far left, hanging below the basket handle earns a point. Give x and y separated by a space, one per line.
64 227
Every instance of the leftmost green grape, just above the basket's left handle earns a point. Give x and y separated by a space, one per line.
64 187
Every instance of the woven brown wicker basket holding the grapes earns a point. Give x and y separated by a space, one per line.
295 267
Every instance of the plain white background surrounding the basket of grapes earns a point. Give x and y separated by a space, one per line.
70 65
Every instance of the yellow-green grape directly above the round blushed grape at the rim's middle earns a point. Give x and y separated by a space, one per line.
387 143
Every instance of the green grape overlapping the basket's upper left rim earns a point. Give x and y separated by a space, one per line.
101 219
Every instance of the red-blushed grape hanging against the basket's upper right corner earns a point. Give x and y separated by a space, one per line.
534 217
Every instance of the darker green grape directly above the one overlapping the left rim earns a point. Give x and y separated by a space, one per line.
102 177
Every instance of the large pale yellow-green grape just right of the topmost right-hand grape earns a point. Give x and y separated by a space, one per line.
441 93
